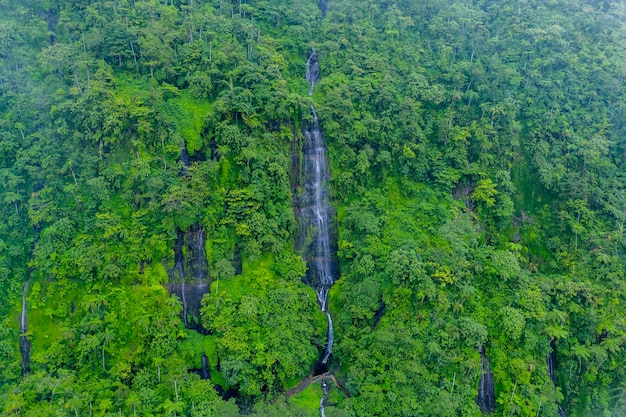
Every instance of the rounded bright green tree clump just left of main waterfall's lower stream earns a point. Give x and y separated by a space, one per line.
259 345
